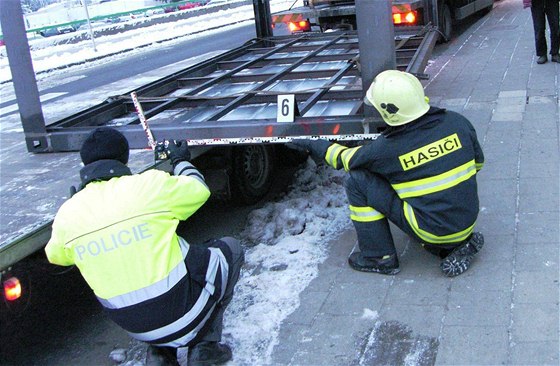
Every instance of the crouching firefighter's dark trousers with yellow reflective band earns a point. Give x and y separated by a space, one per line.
368 190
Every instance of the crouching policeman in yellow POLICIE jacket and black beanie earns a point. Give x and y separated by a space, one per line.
119 229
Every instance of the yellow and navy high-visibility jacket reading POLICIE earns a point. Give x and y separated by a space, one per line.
120 233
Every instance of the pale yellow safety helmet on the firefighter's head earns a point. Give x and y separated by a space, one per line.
398 96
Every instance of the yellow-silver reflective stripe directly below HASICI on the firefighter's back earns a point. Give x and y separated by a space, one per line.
436 183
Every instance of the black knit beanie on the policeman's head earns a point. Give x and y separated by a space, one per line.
104 143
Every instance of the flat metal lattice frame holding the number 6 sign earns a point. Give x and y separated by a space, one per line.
232 98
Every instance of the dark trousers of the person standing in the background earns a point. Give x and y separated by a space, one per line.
541 11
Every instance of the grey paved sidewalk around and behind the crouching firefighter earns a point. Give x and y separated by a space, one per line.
502 311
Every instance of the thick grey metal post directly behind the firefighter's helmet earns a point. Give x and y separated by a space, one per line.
376 37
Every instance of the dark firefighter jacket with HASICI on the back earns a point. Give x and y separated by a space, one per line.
431 163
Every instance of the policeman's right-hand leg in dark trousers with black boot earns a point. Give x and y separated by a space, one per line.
209 351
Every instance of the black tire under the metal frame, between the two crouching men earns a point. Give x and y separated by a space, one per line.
252 172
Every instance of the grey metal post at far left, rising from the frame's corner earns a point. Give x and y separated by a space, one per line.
23 76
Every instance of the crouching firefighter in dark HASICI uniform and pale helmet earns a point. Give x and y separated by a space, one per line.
420 174
